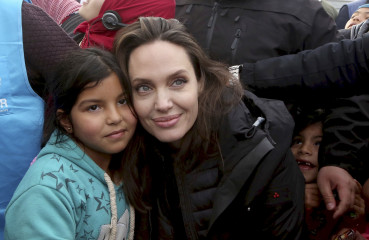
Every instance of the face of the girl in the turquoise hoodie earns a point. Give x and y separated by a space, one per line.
101 120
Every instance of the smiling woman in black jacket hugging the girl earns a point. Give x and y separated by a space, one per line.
213 160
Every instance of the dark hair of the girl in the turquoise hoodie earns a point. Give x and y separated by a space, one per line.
81 67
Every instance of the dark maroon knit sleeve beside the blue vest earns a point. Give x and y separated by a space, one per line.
45 45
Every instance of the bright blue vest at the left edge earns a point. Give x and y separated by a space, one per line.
21 109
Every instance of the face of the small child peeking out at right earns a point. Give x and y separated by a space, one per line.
305 148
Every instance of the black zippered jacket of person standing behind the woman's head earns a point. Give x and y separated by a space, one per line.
239 31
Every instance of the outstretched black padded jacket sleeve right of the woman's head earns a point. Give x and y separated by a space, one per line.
332 70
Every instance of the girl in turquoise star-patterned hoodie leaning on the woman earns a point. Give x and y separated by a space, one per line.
74 188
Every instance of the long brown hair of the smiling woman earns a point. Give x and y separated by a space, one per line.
213 104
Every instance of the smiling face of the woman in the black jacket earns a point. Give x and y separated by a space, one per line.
165 90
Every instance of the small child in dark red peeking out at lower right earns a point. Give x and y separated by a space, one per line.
308 134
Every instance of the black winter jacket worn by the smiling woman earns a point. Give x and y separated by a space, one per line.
256 191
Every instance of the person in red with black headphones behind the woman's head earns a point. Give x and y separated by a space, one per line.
95 22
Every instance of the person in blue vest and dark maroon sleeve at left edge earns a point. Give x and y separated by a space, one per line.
31 45
